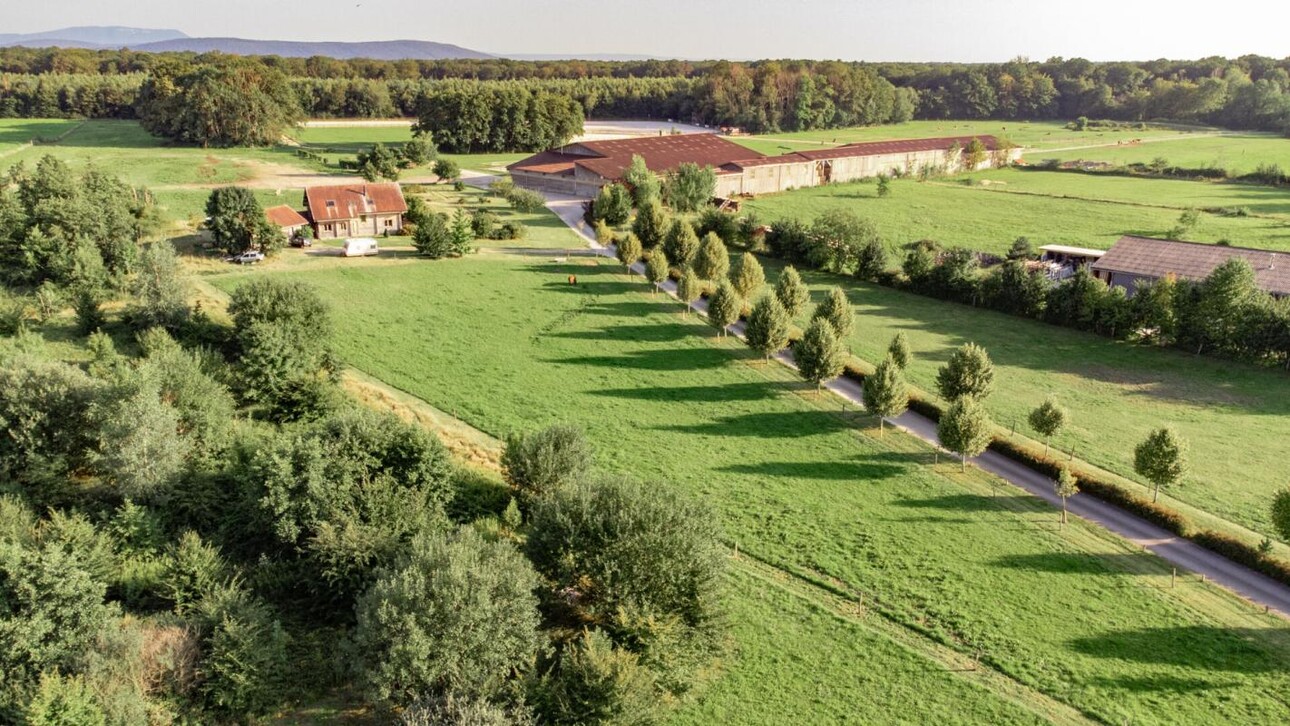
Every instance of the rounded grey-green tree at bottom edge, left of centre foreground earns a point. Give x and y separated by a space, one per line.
456 618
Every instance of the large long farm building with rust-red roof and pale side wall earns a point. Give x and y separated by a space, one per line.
581 170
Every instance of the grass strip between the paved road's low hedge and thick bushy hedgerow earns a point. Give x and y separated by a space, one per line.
1236 417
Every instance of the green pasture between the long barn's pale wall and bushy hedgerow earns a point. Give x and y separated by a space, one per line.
984 219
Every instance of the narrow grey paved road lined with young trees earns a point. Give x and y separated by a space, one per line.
1176 550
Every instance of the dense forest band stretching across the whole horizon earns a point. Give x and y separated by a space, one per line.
767 96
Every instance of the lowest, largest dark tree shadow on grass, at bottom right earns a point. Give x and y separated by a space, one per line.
1204 648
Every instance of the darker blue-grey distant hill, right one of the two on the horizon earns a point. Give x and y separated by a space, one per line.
380 50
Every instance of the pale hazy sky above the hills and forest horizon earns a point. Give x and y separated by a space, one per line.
853 30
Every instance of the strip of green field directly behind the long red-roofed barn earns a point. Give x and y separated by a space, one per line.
1030 135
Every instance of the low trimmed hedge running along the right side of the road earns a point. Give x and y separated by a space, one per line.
1111 493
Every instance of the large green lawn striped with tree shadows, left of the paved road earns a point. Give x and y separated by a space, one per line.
506 345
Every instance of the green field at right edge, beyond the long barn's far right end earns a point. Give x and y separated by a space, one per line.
1238 153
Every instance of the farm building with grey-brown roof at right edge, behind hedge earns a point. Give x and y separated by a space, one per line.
1135 261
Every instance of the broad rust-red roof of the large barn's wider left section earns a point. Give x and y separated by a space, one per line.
610 159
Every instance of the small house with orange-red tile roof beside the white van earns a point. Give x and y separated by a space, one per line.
353 211
